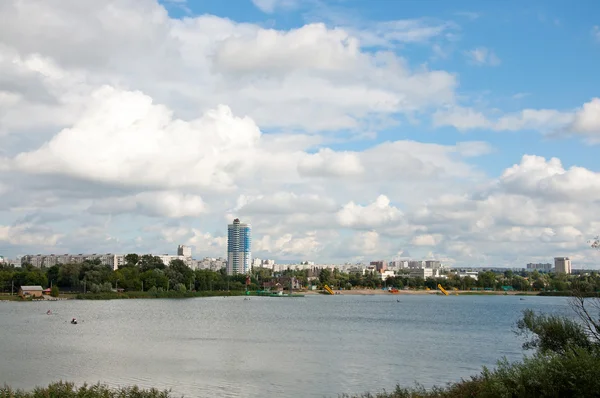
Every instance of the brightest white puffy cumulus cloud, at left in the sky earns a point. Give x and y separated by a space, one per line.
123 137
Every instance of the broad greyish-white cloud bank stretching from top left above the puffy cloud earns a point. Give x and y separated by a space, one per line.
189 65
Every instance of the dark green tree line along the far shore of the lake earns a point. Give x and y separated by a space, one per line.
143 273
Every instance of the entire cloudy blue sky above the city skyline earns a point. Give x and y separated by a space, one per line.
342 130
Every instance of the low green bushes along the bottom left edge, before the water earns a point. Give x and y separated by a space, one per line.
69 390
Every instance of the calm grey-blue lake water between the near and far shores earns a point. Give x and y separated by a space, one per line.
265 347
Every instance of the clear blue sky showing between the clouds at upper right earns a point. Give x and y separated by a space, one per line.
549 59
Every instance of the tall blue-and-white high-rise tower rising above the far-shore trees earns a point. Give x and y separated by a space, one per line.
239 240
